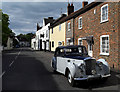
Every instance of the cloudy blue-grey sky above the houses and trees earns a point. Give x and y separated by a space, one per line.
24 16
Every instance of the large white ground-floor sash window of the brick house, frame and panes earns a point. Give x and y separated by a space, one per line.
104 45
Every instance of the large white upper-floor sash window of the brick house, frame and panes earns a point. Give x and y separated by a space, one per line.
104 13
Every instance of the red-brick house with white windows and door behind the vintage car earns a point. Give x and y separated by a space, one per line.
100 21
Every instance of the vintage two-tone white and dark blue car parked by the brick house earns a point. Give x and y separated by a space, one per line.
75 63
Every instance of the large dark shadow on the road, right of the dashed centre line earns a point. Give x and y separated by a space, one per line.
27 73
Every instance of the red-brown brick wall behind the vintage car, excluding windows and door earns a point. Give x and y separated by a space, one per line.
91 26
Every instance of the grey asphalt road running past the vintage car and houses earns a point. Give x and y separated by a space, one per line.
25 69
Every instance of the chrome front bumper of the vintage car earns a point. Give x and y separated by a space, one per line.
92 77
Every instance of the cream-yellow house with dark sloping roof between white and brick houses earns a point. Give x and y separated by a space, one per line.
57 33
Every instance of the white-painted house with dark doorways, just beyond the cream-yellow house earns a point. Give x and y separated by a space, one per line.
42 35
